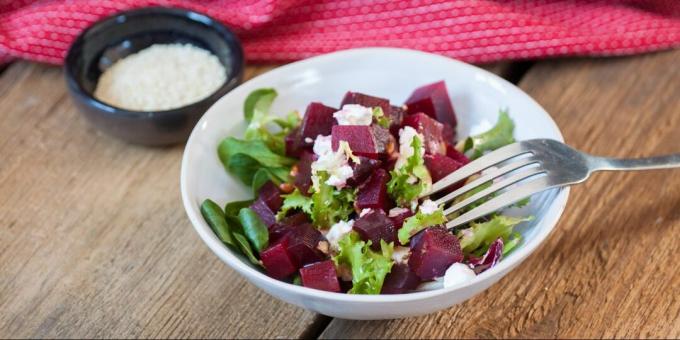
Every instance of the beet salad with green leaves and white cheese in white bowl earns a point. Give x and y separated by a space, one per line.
336 193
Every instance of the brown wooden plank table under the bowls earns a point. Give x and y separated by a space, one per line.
95 242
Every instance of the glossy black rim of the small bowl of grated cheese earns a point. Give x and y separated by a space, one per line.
234 79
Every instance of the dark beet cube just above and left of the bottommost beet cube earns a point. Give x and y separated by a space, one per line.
303 240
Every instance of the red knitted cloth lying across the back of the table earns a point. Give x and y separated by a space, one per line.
283 30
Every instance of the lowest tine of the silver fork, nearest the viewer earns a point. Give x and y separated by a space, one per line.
503 200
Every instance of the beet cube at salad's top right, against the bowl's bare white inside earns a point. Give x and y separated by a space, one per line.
434 100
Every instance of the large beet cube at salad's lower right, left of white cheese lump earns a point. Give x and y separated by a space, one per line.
433 253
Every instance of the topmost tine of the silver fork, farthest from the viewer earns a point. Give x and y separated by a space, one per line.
482 163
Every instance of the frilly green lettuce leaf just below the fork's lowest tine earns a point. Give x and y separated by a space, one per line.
477 238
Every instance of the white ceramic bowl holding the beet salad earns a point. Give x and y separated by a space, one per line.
392 73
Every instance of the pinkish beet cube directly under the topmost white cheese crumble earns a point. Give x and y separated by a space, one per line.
359 137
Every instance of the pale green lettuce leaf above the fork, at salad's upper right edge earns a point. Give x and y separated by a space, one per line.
500 135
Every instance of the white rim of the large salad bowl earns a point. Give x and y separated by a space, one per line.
217 247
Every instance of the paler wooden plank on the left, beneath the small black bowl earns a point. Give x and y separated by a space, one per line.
95 242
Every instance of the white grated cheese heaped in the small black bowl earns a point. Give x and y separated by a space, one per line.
161 77
